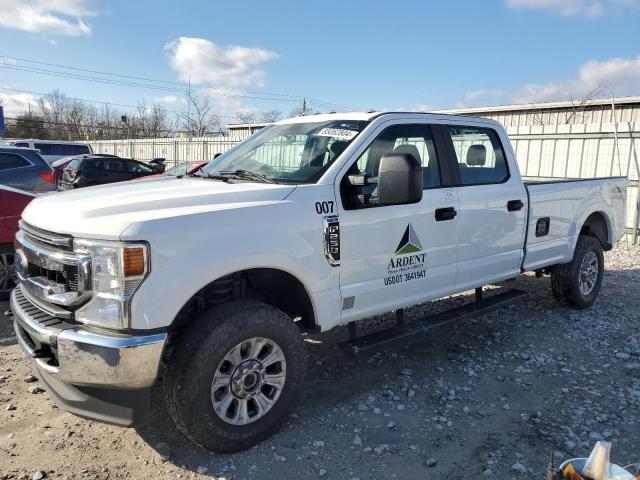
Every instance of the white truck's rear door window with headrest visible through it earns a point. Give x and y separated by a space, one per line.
480 156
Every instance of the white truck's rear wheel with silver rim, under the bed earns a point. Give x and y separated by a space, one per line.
579 282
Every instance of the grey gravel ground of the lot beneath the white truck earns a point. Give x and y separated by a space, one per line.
491 397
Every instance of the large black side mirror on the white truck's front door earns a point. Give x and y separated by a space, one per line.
399 179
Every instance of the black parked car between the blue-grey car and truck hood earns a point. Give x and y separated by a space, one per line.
97 170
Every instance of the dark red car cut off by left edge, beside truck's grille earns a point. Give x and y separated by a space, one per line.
12 203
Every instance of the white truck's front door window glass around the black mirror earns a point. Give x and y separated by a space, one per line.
416 140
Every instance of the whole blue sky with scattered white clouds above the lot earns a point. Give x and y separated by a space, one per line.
257 56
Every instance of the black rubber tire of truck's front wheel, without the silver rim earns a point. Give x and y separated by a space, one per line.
196 356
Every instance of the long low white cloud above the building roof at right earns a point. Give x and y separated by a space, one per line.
615 75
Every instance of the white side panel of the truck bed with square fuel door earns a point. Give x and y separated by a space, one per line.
567 203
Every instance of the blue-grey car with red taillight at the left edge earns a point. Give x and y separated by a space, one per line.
25 169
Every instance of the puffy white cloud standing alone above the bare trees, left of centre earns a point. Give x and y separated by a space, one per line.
207 62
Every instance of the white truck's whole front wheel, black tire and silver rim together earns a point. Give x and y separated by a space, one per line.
235 375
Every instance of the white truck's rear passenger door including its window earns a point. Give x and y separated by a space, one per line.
492 207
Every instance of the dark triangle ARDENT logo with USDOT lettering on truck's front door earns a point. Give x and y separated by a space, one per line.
408 262
